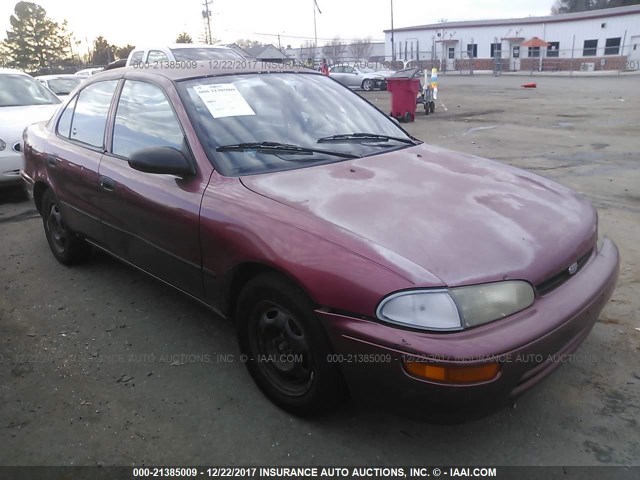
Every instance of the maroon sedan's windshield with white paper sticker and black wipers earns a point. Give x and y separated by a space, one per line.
239 118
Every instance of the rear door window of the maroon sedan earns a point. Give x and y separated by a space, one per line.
90 115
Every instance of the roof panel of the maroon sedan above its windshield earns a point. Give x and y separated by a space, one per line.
202 70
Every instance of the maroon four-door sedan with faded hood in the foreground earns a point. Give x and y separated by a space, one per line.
352 257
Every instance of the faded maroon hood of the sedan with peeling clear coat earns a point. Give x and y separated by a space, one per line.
465 219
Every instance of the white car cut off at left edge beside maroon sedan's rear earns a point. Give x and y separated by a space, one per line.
23 101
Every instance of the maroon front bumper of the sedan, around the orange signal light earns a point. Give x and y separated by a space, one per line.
528 345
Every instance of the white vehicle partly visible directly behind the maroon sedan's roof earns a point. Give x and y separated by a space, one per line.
181 52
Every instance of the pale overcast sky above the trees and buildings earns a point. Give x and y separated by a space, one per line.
157 21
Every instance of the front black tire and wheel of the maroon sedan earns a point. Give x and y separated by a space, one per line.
286 347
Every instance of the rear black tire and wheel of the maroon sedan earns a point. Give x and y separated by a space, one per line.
65 245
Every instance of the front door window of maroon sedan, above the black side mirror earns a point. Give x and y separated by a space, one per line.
144 119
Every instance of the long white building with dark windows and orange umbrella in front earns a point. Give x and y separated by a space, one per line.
607 39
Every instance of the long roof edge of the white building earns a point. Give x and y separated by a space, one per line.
565 17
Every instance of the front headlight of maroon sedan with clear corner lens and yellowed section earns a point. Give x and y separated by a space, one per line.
456 308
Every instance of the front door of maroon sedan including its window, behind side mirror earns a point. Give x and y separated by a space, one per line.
152 220
